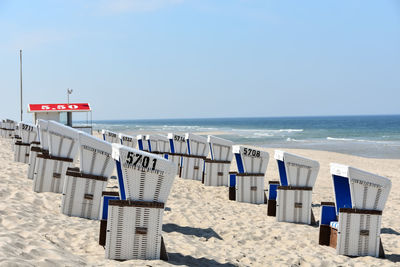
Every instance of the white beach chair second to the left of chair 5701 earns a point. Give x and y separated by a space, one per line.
52 167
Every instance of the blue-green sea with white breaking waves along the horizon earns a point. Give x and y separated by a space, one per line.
366 136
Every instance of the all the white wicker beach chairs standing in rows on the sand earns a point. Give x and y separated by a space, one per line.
131 218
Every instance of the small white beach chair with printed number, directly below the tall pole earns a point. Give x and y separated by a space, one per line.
27 133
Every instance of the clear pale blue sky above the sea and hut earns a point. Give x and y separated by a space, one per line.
142 59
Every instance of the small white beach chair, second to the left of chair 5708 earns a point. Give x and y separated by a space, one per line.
193 160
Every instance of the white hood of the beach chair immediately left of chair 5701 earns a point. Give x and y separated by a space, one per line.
95 156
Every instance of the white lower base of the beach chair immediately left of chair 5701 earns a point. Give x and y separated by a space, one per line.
81 196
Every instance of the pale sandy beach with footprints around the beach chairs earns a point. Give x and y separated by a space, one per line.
201 227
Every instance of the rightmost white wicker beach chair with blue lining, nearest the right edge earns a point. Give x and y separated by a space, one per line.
352 224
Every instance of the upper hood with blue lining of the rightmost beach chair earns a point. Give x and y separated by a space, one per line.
358 189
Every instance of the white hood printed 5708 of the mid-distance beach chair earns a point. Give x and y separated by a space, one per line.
250 160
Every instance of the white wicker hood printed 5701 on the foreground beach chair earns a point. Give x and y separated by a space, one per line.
143 176
